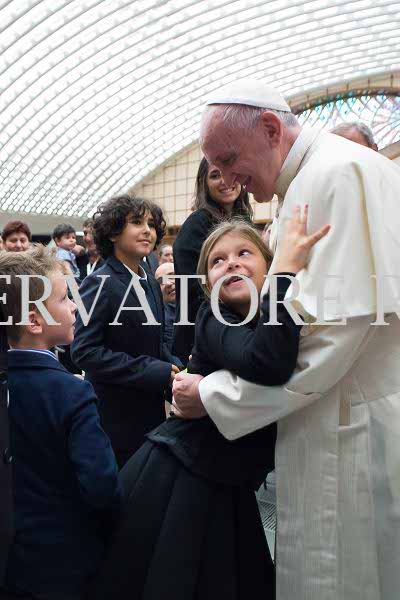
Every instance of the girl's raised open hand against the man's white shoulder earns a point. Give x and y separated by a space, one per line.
295 245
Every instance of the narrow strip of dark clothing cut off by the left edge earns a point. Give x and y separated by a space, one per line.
6 520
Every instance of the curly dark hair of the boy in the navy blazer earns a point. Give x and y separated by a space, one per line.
110 219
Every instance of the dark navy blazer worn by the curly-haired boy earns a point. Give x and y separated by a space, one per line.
124 362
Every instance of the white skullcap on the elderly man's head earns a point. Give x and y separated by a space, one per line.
251 92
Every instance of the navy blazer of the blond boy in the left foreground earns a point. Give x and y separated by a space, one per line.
65 477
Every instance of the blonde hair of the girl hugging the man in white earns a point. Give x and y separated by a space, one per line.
238 227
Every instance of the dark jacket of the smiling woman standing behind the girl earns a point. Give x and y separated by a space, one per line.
187 248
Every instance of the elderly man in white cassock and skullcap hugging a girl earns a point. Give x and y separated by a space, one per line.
338 448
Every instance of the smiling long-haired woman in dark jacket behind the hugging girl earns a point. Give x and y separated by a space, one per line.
213 201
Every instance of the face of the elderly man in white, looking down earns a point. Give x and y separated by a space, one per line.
251 159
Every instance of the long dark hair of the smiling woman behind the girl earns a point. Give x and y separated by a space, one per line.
202 198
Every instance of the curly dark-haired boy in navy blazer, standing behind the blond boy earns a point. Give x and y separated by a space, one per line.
126 362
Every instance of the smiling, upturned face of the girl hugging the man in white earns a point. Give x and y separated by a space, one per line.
234 255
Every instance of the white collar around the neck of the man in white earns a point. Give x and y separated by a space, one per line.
294 159
